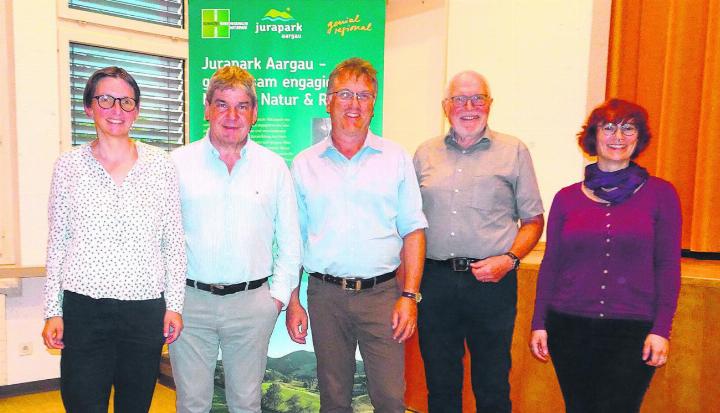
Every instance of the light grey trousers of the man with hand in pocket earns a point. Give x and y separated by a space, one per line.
240 324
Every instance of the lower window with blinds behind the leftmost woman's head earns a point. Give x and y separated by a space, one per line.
161 80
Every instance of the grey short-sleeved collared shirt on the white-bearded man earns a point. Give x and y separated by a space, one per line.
474 197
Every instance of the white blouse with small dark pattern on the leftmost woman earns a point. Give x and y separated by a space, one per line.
108 241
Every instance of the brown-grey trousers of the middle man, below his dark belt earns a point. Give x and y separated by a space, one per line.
341 320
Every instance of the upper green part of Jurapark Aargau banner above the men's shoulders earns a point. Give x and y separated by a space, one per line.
290 47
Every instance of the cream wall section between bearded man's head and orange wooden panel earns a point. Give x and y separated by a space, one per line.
545 61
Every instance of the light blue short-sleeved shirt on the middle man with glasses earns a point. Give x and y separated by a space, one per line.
355 212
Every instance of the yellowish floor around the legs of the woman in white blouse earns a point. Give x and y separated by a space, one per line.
49 402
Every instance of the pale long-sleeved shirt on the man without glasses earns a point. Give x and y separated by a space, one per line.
233 221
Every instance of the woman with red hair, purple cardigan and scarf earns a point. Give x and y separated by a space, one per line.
609 281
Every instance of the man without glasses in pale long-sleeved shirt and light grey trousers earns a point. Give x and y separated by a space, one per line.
241 226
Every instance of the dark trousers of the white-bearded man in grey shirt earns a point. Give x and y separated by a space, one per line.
457 308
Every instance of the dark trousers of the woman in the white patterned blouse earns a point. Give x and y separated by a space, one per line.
109 343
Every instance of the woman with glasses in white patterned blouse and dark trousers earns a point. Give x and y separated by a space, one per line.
115 256
